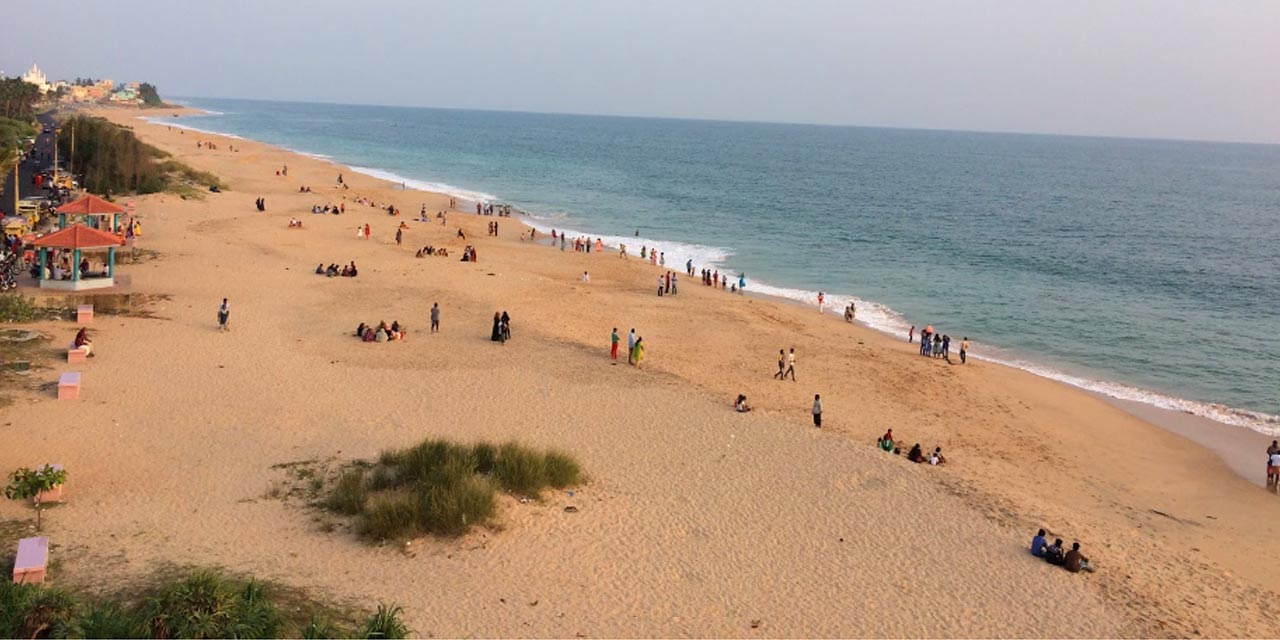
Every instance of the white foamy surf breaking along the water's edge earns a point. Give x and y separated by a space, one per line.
1164 408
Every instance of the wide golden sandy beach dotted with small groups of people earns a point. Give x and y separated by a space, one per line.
697 520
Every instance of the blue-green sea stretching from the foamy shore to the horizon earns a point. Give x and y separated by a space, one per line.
1141 269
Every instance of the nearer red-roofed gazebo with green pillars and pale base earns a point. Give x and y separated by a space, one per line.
67 269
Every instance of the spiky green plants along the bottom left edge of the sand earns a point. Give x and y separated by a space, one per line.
202 604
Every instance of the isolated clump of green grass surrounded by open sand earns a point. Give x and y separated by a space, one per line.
444 488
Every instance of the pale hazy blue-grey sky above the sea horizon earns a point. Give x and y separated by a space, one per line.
1130 68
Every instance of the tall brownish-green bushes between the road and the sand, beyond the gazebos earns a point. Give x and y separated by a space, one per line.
113 161
